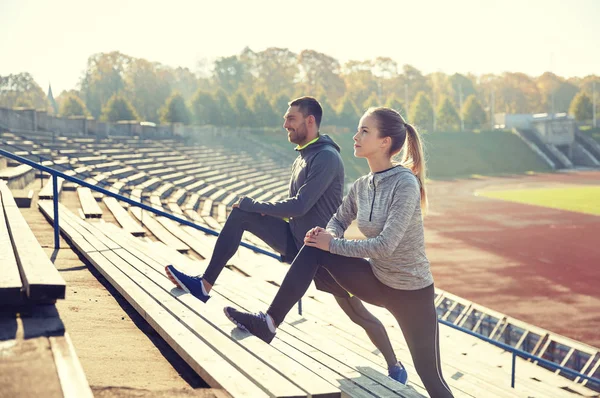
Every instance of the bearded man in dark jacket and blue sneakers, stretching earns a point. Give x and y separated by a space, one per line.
315 193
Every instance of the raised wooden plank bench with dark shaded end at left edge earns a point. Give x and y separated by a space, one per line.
26 272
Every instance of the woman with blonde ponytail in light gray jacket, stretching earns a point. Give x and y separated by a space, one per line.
387 204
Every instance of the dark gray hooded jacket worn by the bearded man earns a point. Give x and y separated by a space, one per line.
316 189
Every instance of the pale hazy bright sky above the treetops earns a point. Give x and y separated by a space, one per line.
52 40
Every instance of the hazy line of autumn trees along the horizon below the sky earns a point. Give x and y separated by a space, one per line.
252 89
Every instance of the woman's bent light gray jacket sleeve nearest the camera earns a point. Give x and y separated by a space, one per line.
405 199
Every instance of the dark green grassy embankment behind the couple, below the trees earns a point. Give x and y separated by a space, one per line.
449 155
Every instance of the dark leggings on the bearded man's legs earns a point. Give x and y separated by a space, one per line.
276 233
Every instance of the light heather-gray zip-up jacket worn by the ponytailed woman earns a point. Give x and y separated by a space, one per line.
387 208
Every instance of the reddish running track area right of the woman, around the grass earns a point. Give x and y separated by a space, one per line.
533 263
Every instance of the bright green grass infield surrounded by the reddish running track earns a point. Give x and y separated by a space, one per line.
582 199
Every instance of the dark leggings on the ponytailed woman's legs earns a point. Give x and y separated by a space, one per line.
413 309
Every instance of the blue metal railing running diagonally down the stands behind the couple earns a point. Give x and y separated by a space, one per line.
55 174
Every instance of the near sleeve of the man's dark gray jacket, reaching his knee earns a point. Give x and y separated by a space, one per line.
323 170
